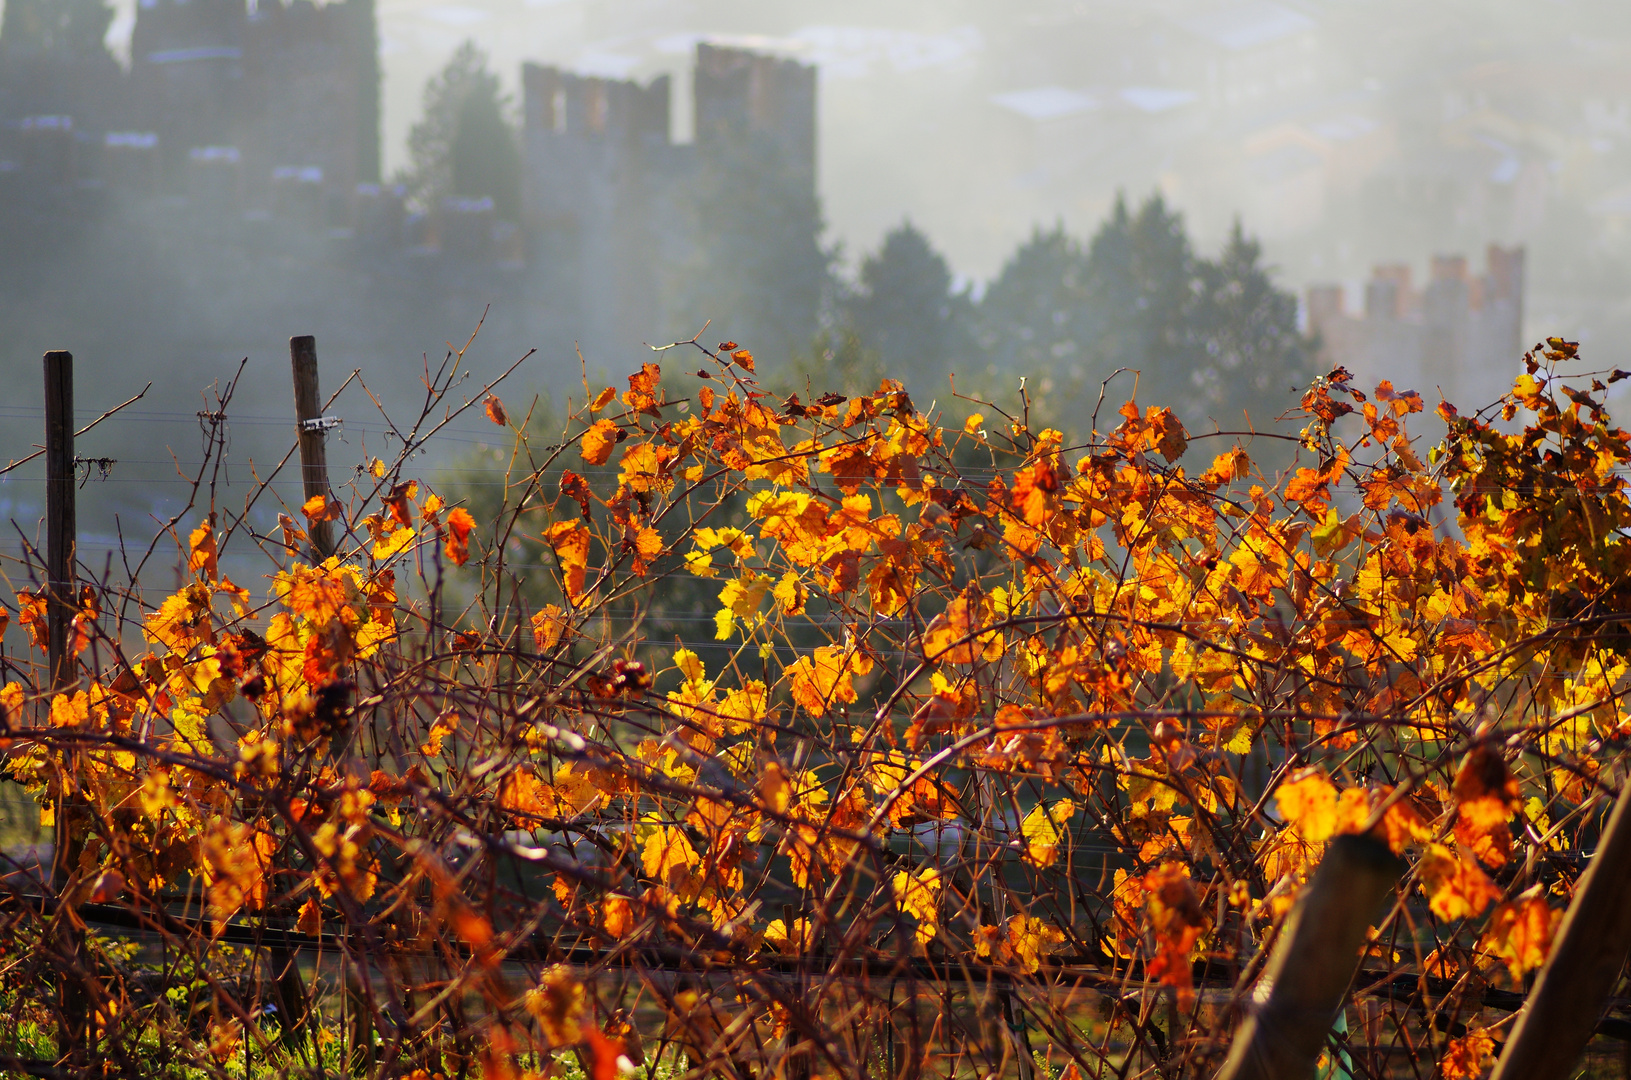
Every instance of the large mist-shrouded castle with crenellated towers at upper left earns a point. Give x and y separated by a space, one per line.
247 126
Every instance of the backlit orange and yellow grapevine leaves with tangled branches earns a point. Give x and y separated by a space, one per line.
988 740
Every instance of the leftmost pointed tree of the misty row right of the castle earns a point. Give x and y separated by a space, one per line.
908 312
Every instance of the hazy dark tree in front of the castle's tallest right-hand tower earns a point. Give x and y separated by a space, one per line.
761 273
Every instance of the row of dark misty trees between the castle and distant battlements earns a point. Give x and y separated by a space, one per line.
1213 337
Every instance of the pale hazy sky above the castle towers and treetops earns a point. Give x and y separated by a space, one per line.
983 120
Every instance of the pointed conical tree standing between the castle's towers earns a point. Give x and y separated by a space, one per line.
464 146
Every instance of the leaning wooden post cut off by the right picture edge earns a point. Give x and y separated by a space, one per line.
1562 1012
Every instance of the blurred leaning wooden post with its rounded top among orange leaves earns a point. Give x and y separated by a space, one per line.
1314 963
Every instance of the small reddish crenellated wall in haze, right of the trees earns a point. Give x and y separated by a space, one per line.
1461 334
